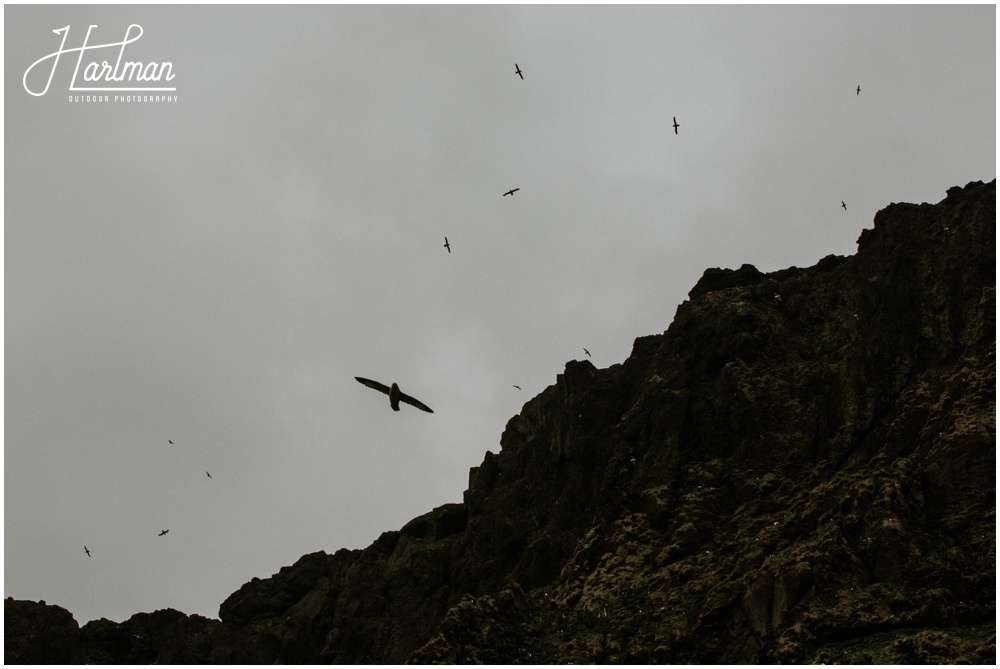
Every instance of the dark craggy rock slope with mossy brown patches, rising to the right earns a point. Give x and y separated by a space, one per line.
800 469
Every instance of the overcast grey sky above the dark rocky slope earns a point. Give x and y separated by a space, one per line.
215 271
